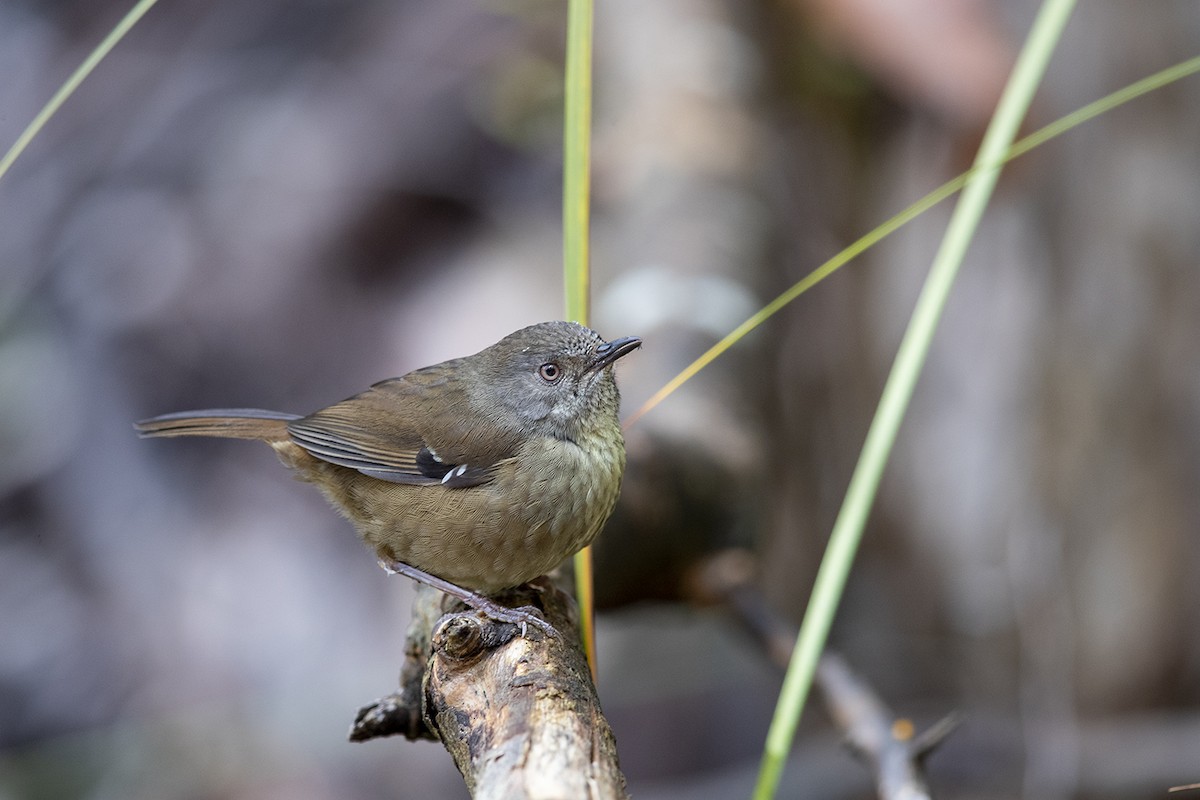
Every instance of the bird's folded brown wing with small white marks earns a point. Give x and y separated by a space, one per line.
417 430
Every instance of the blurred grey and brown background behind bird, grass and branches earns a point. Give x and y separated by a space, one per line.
275 204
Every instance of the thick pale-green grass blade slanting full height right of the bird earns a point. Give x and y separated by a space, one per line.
895 401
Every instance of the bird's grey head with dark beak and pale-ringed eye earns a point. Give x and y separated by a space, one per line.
555 377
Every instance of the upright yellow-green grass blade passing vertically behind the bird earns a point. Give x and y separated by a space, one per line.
577 206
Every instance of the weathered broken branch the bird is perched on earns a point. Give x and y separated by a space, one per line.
519 714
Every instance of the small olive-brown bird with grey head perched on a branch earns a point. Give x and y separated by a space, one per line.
473 476
